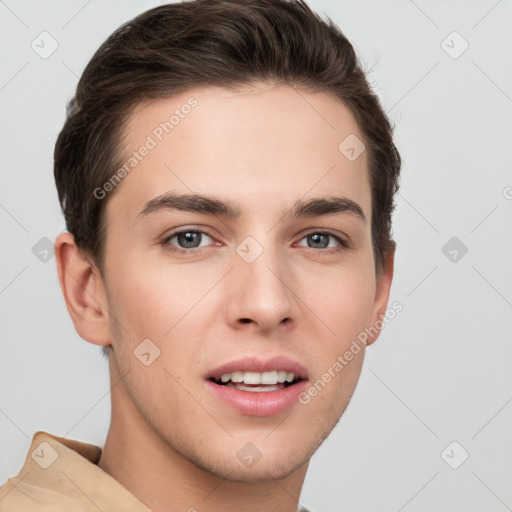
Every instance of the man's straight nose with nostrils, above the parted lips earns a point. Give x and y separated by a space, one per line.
260 293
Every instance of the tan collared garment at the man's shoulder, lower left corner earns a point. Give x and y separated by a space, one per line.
61 475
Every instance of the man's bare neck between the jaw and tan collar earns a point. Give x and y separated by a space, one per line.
166 481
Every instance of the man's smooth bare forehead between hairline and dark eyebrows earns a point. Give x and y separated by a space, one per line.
261 145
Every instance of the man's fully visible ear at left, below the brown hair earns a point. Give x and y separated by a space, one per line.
84 291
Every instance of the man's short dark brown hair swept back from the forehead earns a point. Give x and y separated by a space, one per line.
173 48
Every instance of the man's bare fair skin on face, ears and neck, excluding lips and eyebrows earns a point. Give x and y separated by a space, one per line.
171 442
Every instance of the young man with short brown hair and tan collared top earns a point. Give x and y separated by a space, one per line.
227 178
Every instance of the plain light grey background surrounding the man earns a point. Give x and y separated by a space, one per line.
439 373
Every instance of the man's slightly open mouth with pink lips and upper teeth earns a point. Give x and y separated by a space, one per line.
256 387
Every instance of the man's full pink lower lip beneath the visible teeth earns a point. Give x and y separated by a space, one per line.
258 403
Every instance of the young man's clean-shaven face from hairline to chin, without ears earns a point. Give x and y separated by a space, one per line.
268 279
